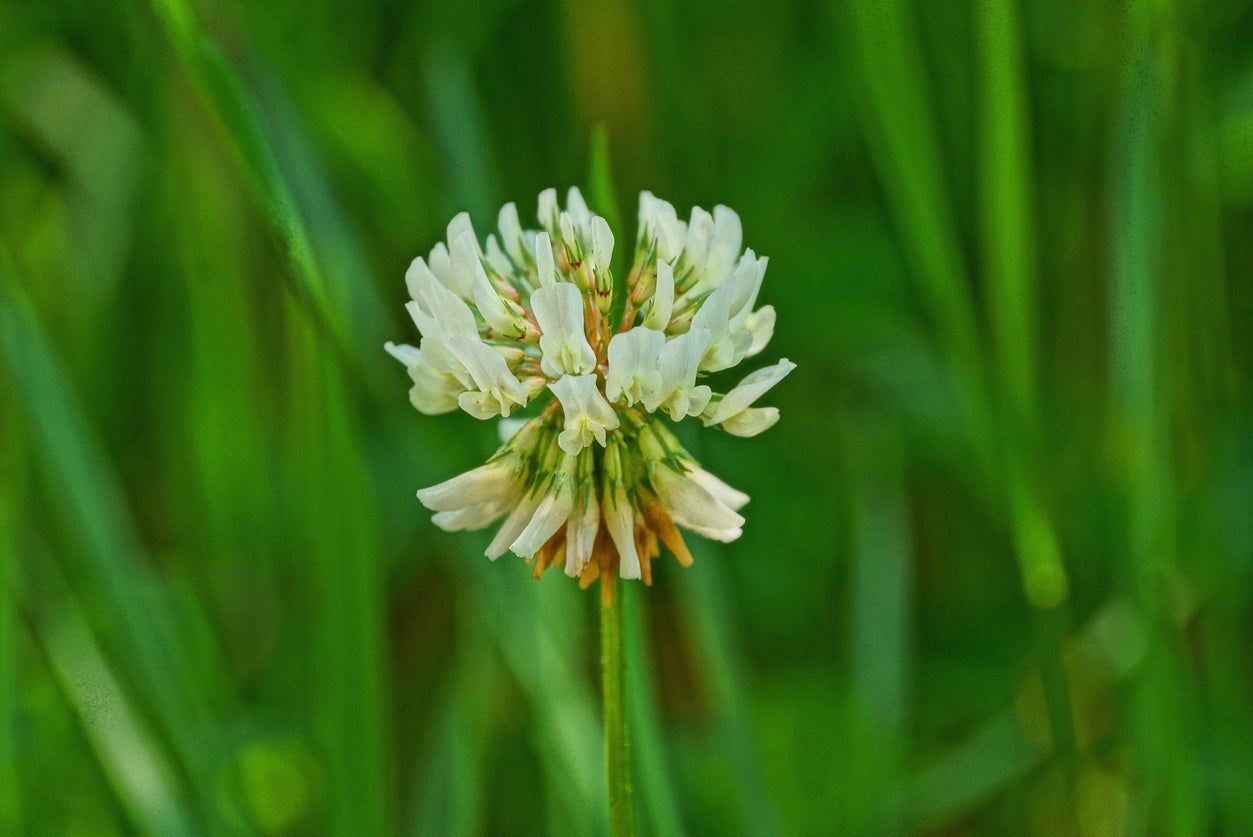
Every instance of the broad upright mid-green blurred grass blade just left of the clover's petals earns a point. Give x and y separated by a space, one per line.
339 536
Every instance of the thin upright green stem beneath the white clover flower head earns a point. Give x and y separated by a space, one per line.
622 798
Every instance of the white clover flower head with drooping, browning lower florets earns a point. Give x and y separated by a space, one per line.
593 479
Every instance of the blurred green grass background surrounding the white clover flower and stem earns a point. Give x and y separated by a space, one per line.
998 576
